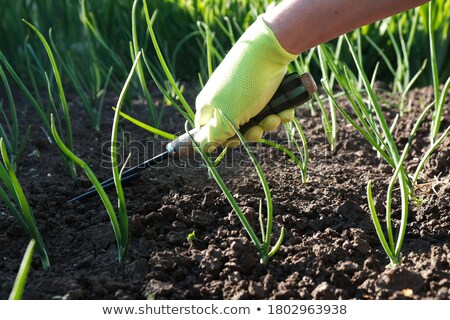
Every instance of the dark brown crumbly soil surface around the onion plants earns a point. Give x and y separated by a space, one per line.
330 250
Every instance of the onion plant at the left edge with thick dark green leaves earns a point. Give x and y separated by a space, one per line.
14 197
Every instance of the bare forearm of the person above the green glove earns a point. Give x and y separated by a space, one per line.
303 24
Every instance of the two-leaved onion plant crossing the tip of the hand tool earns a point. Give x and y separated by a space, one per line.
118 220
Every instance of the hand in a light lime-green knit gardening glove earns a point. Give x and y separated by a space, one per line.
240 87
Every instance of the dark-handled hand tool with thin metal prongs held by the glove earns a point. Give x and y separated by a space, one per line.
293 91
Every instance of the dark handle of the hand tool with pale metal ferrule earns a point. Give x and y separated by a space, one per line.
293 91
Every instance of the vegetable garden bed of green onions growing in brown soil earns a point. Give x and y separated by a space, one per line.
350 200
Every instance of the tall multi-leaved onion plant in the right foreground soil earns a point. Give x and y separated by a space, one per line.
374 127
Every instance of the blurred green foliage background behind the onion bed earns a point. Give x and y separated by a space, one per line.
177 19
